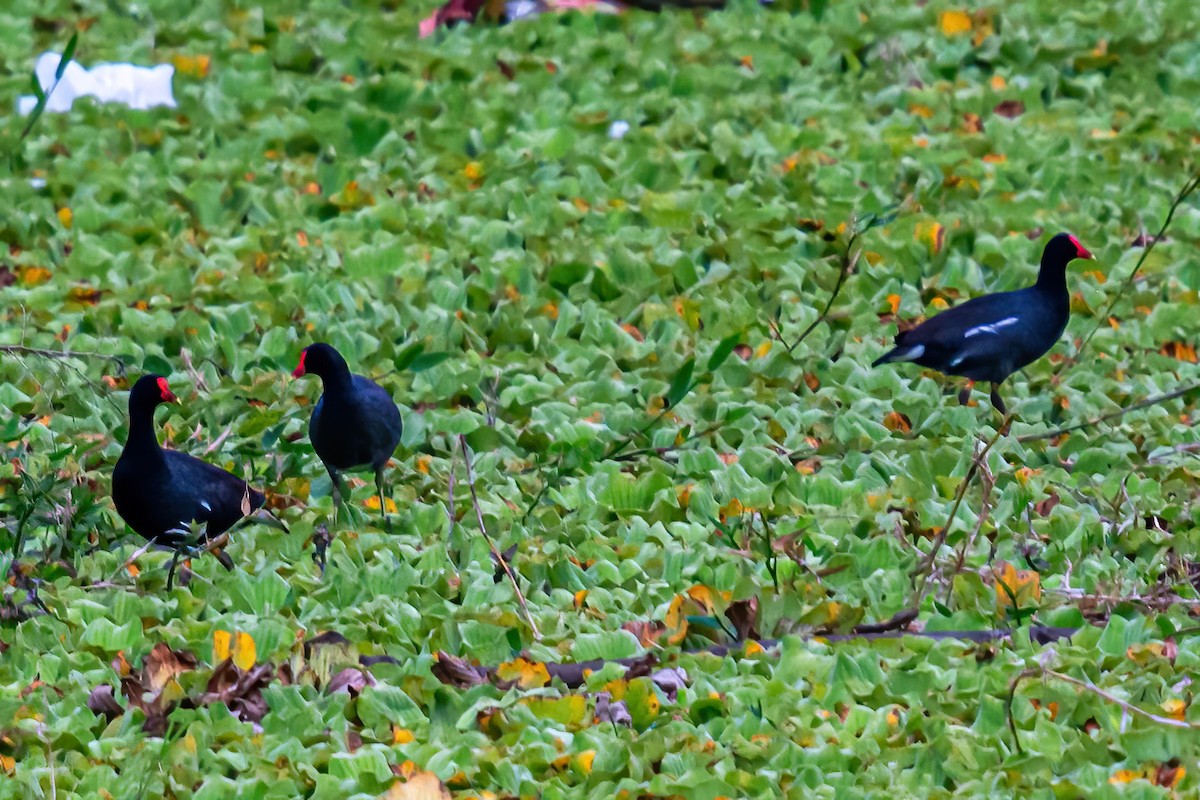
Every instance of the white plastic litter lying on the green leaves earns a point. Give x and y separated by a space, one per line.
129 85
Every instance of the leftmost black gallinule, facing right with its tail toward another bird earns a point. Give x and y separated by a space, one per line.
160 494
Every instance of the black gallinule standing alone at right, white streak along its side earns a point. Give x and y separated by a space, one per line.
992 338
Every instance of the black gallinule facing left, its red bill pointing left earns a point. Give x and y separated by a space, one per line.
355 425
